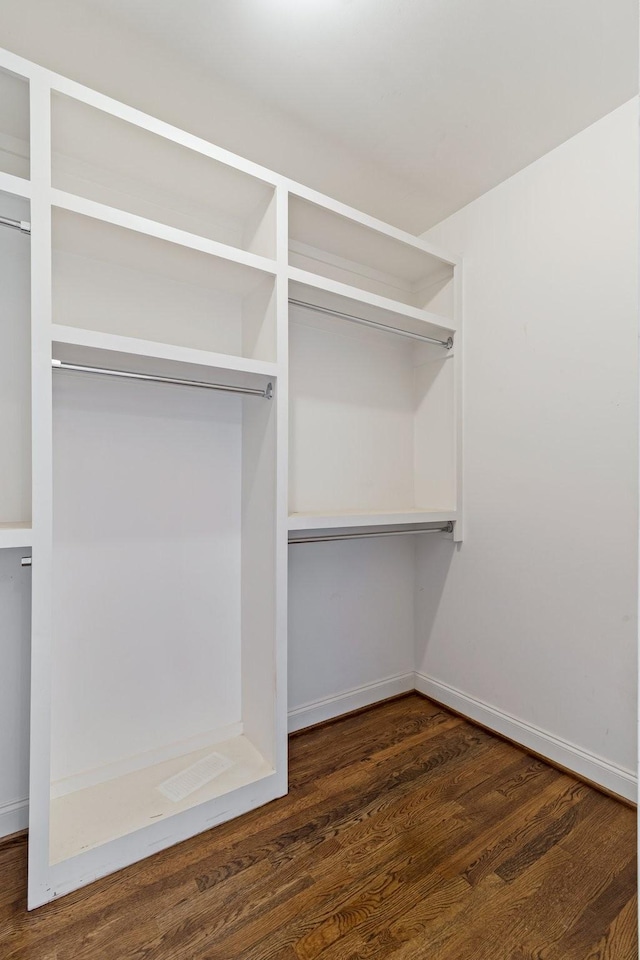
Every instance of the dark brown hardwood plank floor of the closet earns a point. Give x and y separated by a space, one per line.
408 833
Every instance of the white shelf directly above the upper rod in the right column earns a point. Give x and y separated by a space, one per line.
323 292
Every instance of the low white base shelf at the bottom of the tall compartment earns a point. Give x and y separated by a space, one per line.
87 818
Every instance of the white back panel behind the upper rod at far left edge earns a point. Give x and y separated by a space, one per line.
15 376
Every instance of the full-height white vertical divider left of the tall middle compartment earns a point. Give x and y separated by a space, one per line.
39 872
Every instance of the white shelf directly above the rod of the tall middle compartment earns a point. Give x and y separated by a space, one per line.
93 348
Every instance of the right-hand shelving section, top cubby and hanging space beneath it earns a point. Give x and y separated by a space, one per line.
375 376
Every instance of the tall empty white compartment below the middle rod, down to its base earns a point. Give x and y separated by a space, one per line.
163 631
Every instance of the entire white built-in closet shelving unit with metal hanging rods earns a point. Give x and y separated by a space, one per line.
161 510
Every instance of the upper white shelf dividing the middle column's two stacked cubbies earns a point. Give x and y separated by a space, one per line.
161 231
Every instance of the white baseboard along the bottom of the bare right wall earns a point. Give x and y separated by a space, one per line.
617 779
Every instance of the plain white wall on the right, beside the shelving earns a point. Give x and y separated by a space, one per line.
533 618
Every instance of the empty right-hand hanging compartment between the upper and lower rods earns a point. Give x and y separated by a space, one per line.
372 423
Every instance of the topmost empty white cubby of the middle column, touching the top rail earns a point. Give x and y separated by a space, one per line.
111 161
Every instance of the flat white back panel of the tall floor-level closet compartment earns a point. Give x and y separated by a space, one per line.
147 568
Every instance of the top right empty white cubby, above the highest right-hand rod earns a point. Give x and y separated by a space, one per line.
346 250
